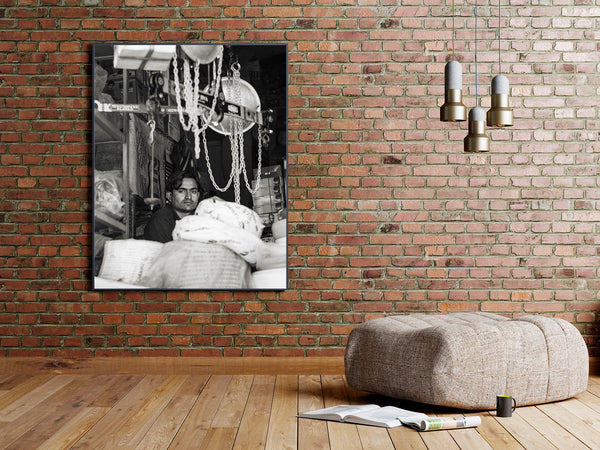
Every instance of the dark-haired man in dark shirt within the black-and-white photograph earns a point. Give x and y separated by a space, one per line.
183 194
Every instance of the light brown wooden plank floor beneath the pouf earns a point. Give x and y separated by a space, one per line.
182 411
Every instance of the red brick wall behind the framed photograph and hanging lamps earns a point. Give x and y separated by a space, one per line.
387 214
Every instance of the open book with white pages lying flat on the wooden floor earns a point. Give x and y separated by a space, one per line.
387 416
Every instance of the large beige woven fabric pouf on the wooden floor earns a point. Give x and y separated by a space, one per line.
464 360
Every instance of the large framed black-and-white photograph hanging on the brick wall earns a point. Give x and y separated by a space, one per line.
190 166
